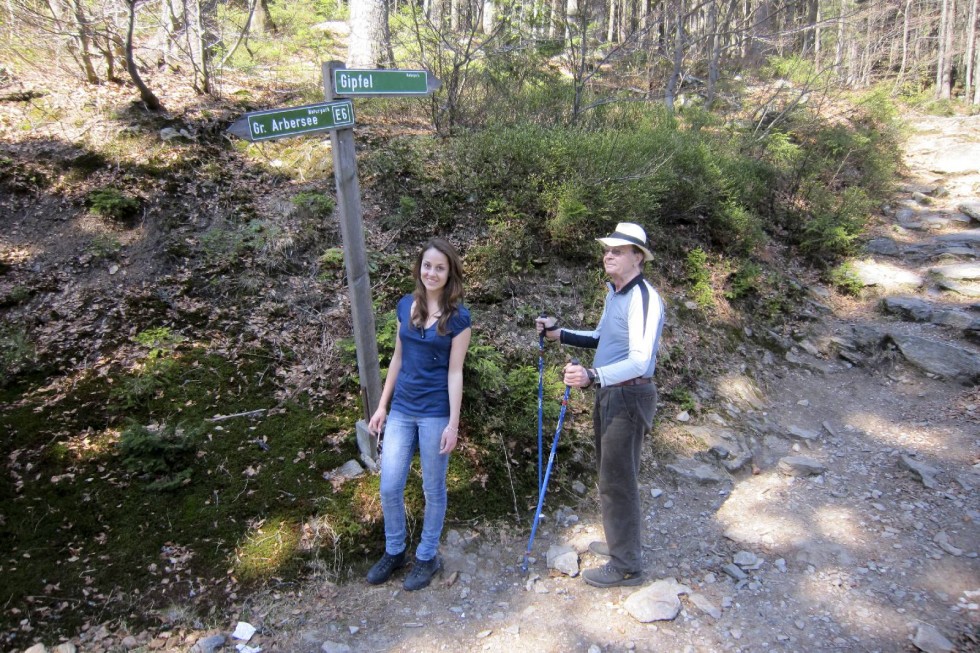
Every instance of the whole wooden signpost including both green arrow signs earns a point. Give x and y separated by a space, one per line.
337 116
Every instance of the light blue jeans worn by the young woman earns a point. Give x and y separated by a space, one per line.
402 436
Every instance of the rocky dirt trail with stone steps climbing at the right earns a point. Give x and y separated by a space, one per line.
833 505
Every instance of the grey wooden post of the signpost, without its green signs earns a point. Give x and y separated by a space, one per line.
355 259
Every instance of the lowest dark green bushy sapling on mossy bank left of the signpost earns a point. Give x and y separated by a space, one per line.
160 454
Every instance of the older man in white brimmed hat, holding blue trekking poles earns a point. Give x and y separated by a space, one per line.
626 341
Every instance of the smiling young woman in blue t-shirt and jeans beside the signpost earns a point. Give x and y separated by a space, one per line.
425 388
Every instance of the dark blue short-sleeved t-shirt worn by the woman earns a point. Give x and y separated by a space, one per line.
422 388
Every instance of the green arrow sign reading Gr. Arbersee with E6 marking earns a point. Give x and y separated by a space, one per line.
279 123
